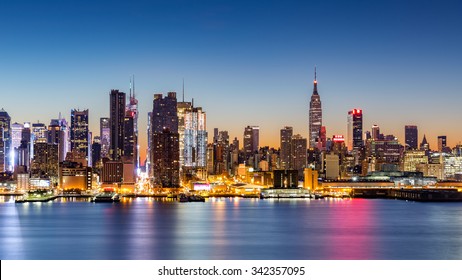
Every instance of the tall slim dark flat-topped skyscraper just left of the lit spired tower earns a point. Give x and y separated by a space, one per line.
116 124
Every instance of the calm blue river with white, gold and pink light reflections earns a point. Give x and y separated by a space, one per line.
231 228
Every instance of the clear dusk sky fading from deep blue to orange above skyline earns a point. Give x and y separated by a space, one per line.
244 62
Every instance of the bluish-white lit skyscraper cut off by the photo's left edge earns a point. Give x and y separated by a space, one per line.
5 142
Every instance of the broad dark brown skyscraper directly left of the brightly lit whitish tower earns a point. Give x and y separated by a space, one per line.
165 147
